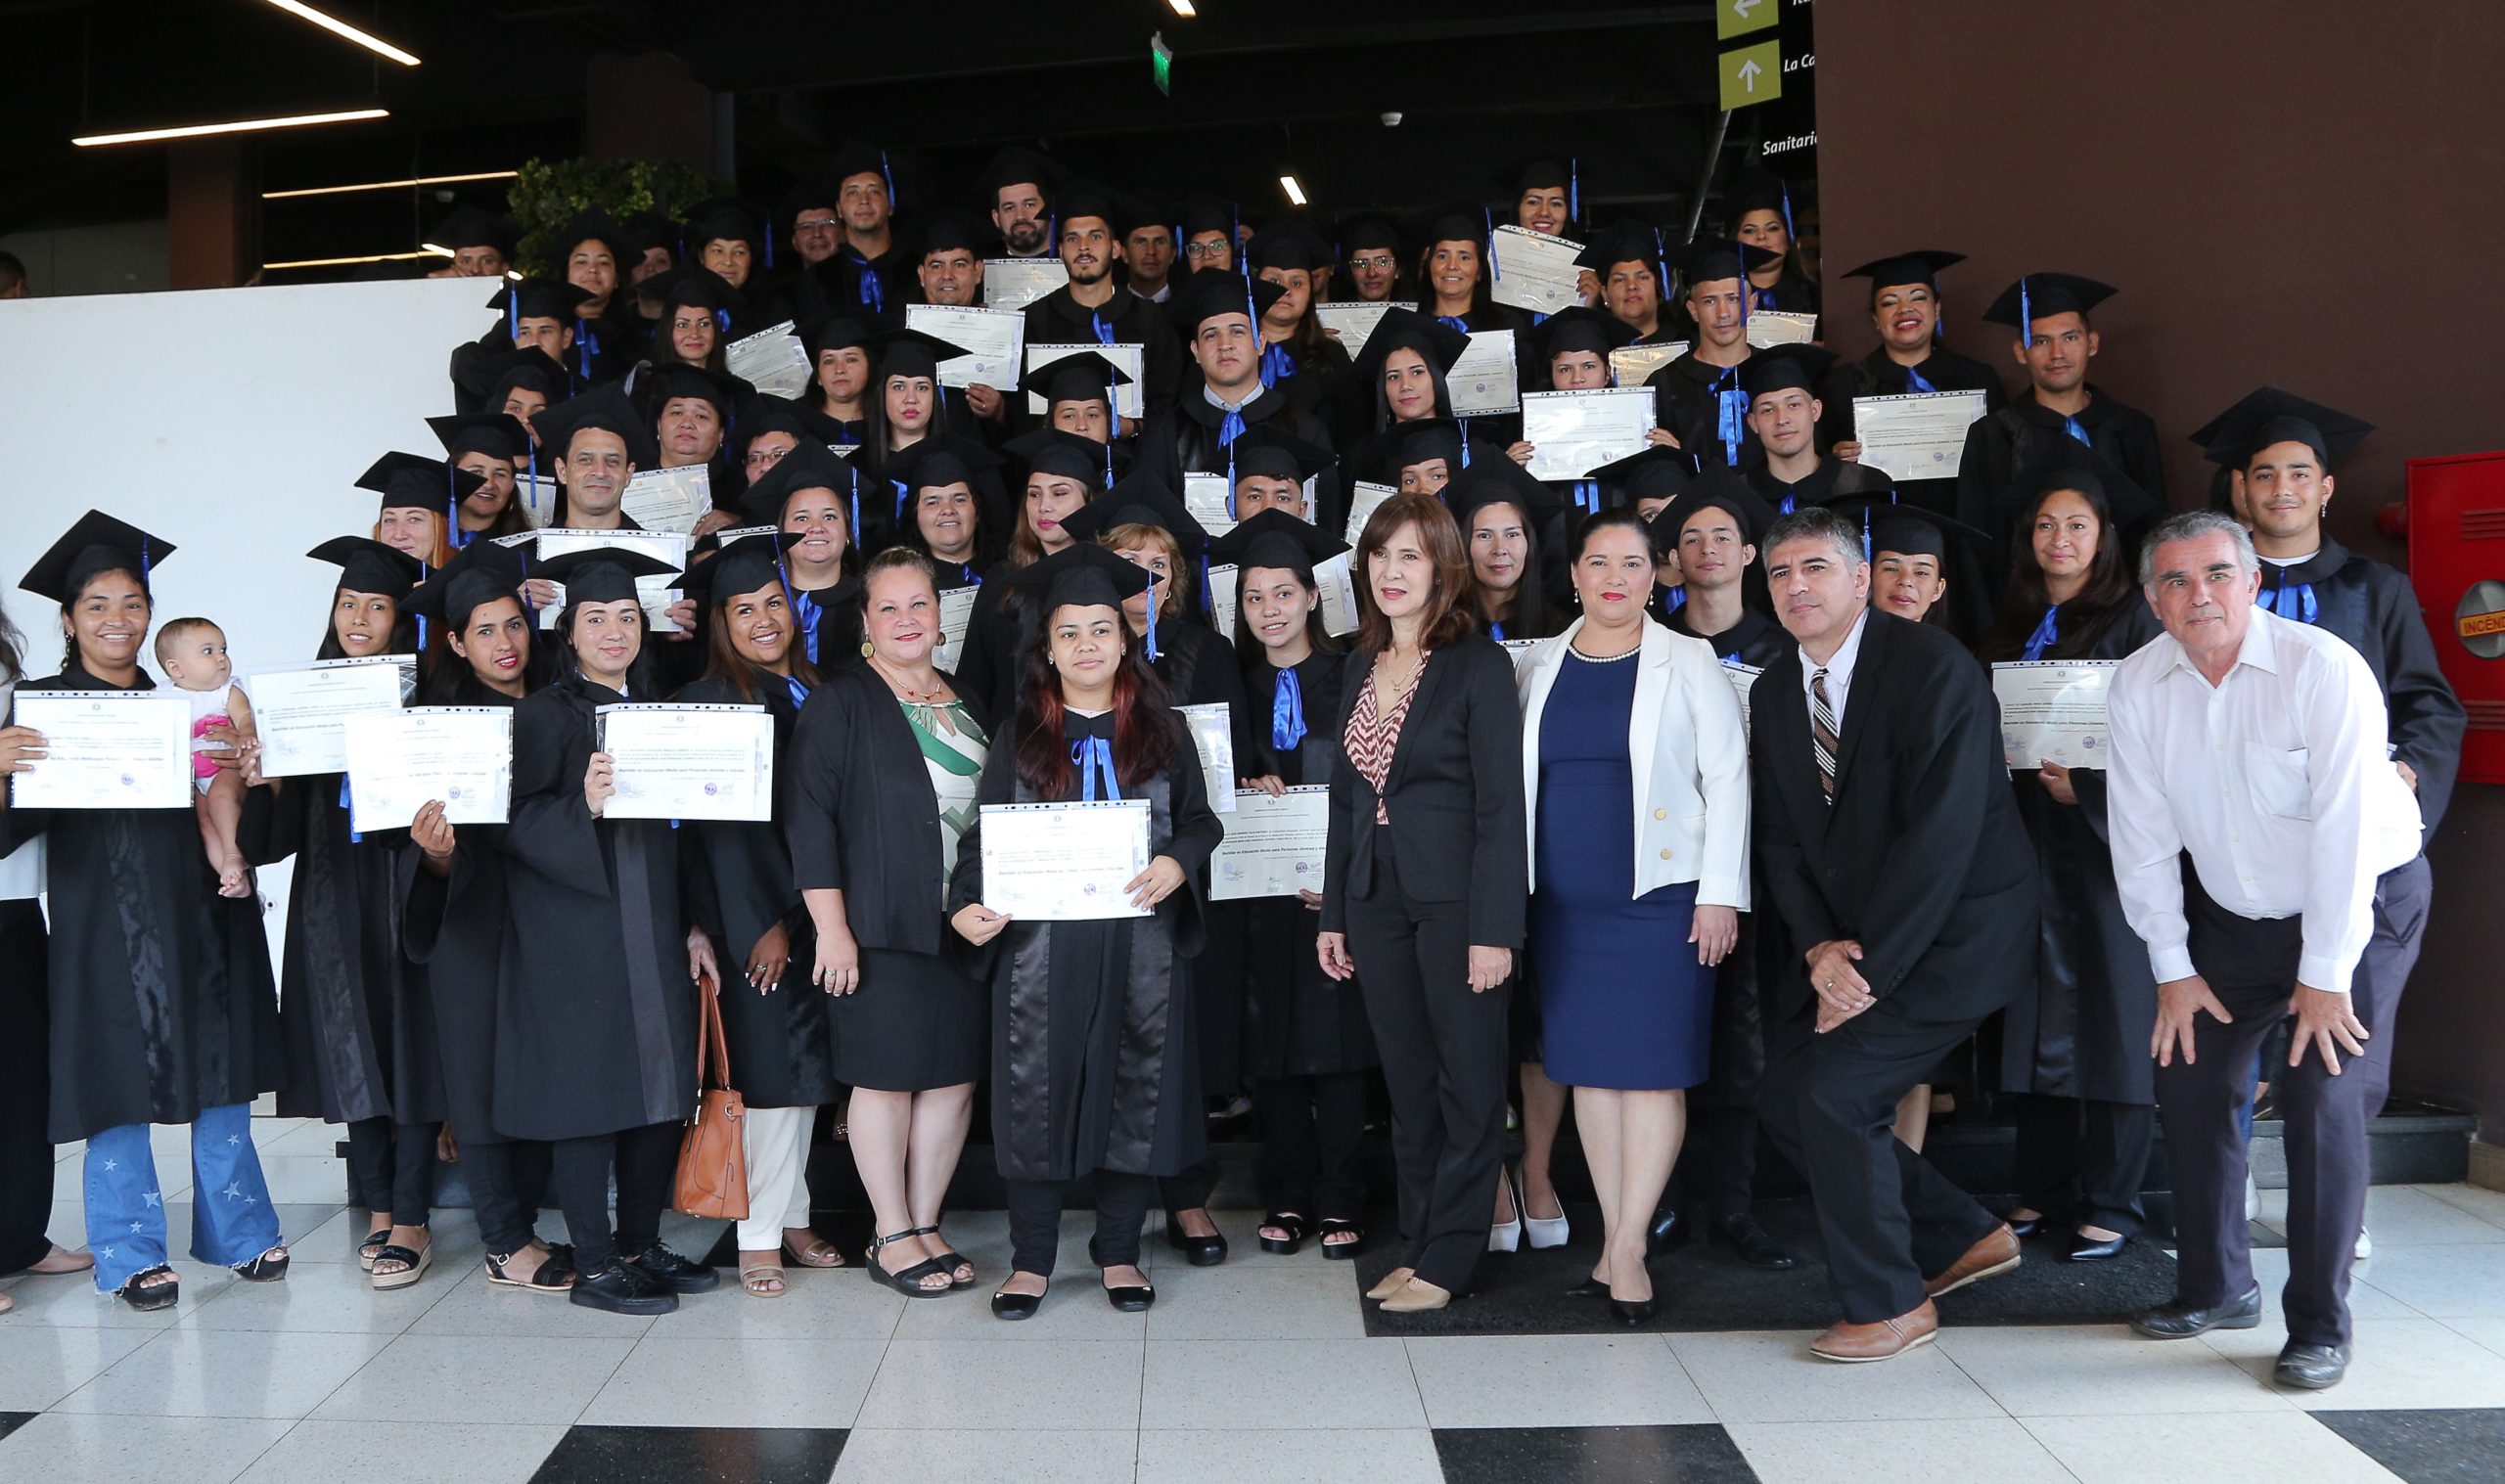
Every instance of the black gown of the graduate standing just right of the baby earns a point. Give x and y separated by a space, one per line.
359 1030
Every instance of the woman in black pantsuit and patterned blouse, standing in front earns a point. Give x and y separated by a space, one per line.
1427 885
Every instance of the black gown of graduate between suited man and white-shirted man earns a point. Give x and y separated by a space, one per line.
2080 1030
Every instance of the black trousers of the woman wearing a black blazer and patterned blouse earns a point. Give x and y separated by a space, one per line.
1444 1065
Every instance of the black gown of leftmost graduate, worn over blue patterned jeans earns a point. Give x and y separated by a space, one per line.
162 997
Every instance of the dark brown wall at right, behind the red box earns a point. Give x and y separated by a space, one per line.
2288 191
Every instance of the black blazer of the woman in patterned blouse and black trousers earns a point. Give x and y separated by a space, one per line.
1454 795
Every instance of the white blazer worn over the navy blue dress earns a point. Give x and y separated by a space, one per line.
1690 757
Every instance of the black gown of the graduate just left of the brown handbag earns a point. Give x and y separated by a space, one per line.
595 1010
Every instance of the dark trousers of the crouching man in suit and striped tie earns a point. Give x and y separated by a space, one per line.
1888 1217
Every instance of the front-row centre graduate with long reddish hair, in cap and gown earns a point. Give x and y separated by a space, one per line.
1093 1035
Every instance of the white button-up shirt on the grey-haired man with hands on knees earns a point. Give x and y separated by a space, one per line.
2273 780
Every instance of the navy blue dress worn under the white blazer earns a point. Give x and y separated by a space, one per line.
1622 995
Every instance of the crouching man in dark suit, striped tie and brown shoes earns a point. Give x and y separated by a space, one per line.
1895 855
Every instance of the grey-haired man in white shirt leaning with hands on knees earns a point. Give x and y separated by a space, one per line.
2256 750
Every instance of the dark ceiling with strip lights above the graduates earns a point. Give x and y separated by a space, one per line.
1256 89
